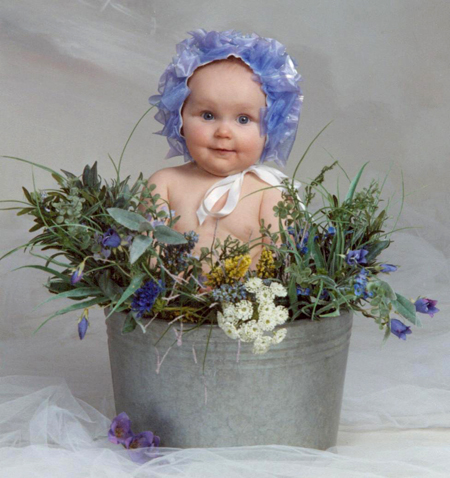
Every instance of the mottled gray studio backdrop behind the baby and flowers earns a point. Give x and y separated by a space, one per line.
75 76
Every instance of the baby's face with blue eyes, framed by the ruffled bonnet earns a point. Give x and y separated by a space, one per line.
221 118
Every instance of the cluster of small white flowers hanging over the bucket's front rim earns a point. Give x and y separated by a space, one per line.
239 321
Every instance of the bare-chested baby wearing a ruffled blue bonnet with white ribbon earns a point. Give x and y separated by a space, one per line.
227 102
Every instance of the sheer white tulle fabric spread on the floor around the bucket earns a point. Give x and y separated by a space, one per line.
46 432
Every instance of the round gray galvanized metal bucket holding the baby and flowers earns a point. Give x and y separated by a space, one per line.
291 395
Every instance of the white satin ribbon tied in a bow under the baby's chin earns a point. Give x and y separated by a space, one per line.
233 184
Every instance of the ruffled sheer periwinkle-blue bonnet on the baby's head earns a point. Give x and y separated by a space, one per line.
273 68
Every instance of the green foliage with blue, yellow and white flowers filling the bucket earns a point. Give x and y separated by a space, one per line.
115 246
